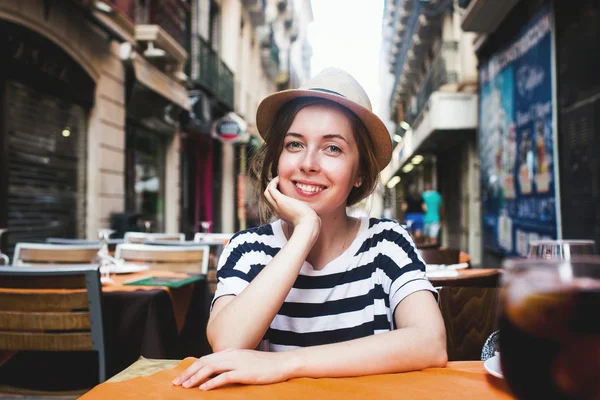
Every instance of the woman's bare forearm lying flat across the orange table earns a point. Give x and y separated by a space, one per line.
406 349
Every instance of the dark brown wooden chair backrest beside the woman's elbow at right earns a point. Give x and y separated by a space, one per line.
470 316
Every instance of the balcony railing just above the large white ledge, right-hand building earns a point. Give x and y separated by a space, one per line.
441 72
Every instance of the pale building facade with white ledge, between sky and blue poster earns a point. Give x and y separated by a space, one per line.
433 106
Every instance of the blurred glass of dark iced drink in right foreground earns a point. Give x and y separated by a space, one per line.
550 328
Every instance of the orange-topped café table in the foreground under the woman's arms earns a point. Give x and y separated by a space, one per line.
151 379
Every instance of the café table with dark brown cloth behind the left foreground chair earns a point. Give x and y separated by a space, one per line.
150 321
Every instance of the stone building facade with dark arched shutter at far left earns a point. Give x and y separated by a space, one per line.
90 94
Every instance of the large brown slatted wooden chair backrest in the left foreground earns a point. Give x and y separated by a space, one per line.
34 318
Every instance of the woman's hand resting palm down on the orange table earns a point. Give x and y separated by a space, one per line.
235 366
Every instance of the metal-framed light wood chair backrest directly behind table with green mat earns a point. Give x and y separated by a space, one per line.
191 259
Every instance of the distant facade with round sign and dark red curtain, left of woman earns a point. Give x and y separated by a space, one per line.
241 51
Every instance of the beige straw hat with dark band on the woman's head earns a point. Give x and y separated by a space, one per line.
338 86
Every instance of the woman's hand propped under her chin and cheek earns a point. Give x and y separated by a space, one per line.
290 210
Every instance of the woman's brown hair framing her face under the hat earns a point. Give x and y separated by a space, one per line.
264 163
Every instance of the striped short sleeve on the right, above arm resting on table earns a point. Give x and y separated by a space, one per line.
405 268
